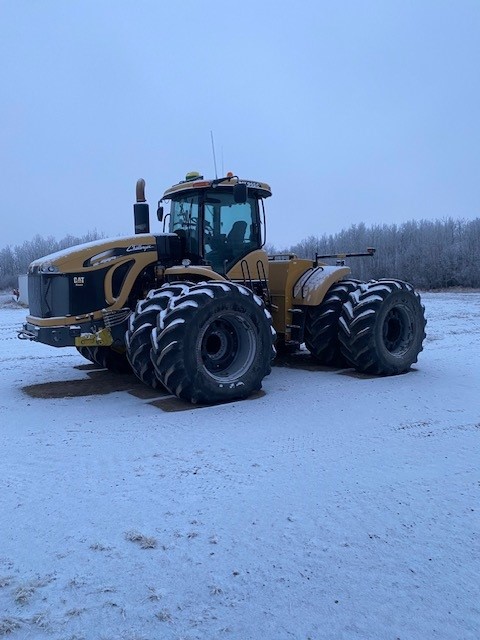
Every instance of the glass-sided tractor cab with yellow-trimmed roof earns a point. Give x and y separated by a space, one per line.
219 221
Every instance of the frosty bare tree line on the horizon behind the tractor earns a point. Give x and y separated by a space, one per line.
430 255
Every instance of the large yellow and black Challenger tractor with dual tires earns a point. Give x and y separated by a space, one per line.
201 308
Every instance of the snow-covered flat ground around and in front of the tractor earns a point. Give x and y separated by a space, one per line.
331 506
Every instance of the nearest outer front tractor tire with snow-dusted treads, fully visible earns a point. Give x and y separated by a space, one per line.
214 344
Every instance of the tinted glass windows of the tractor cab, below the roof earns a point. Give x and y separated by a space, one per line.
230 230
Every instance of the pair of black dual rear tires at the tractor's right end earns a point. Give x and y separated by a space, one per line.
376 327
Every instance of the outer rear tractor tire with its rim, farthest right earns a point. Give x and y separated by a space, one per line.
382 327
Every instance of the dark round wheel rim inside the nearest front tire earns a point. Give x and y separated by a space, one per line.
227 347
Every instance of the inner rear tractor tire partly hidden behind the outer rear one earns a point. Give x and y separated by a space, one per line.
321 325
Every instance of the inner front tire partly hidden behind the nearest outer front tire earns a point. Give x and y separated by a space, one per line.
140 325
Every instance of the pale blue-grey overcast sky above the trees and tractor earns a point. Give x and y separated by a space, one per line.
353 111
